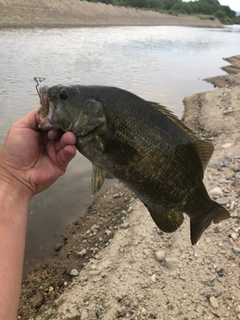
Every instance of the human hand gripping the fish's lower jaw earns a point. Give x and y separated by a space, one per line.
32 160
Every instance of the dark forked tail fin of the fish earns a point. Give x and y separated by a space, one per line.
199 225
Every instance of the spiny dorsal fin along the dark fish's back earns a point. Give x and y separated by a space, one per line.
204 148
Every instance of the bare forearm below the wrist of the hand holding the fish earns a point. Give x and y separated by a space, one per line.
14 202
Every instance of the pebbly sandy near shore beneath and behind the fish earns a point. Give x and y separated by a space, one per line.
116 264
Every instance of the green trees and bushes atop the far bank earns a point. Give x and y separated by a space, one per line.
211 9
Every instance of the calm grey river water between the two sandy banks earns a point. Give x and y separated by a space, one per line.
162 64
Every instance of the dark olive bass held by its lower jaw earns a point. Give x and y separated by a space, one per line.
142 144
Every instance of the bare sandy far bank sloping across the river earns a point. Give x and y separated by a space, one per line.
56 13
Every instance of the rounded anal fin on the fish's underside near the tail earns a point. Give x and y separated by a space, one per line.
166 219
